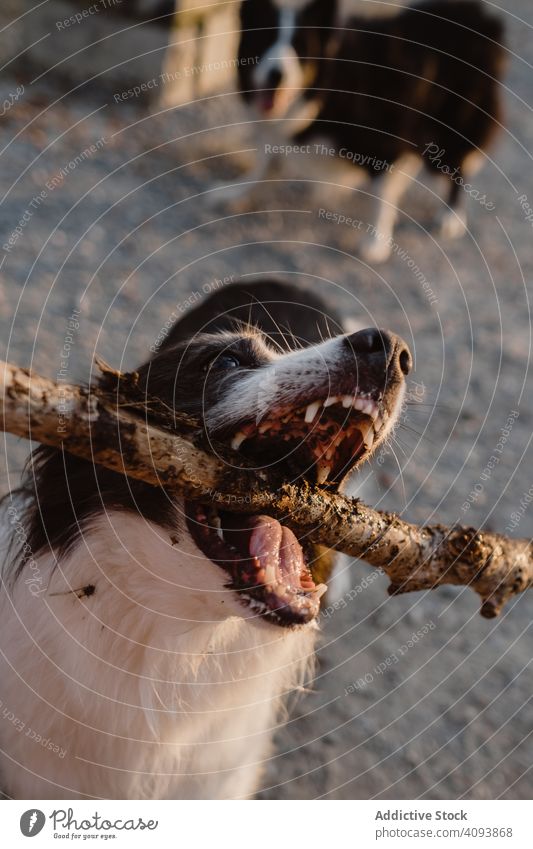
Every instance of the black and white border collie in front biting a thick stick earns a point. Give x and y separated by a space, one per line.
147 643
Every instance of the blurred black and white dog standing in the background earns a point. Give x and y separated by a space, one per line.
385 94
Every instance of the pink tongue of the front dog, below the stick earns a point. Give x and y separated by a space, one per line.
276 548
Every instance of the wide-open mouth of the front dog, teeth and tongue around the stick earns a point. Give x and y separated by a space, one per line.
268 566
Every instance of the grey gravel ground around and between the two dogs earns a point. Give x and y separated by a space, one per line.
126 235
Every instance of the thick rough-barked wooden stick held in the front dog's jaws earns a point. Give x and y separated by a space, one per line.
103 425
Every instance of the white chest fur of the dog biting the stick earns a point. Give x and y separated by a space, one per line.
158 685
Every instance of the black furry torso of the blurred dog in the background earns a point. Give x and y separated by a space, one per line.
427 76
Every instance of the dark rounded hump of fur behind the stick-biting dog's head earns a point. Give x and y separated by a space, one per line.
289 316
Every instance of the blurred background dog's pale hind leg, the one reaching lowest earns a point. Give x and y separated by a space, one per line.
391 187
